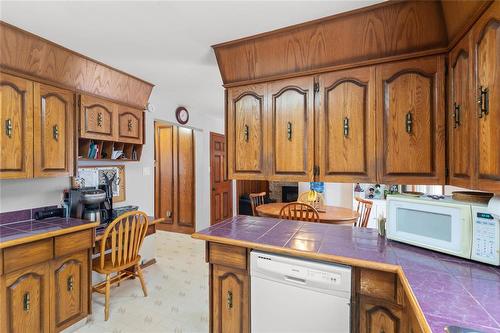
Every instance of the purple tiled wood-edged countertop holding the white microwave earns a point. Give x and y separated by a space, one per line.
449 290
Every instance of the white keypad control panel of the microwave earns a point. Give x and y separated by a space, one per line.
486 238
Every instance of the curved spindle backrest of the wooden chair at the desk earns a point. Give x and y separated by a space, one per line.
125 234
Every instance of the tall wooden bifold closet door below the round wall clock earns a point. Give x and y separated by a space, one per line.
175 178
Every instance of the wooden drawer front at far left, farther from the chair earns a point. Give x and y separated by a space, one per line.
25 255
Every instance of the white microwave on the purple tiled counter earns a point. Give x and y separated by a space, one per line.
449 226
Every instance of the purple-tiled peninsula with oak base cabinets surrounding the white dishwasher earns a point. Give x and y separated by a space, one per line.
396 287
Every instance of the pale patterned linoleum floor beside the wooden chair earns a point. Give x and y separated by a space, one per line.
178 293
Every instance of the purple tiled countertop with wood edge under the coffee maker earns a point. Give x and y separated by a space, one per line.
31 230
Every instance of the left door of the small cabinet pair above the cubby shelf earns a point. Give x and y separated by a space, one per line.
97 118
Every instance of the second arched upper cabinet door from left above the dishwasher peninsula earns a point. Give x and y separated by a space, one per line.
291 129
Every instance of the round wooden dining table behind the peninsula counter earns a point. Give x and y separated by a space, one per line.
329 214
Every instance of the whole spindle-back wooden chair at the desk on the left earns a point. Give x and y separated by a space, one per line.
125 234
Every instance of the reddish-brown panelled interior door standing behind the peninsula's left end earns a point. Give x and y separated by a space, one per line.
221 197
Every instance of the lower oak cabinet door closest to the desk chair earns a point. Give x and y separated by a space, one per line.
70 276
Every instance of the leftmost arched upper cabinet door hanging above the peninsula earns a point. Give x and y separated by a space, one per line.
246 119
